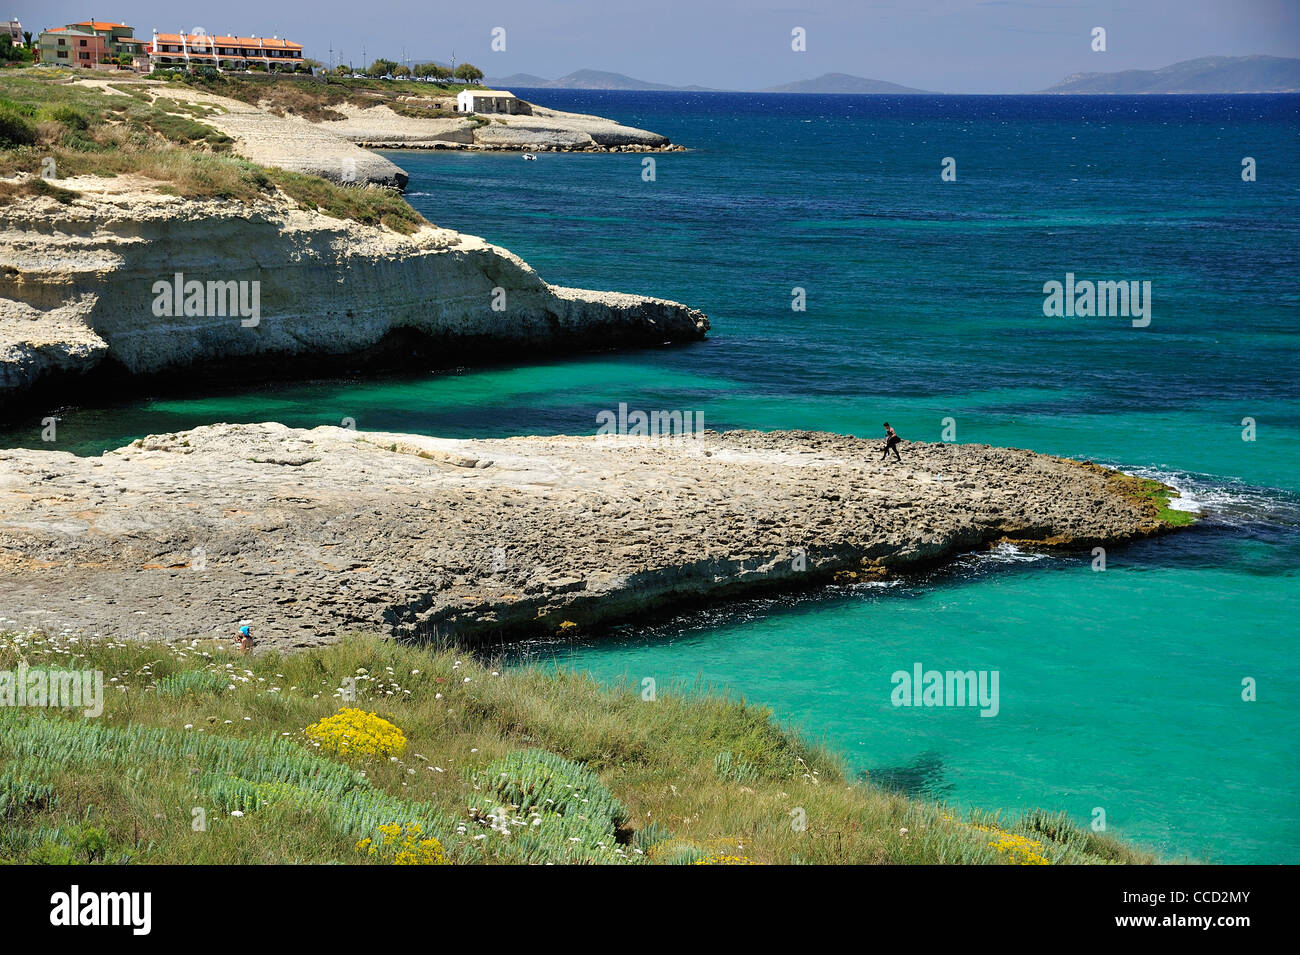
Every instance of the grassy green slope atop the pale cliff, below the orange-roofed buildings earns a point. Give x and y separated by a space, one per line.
45 116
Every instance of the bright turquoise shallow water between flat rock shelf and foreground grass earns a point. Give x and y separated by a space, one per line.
1117 691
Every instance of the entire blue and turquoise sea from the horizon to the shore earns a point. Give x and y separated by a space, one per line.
1120 691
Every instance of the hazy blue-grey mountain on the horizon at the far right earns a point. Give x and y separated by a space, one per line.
1208 75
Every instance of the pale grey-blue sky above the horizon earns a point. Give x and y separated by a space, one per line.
947 46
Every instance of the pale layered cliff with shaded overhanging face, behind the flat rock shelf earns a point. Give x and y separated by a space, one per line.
79 288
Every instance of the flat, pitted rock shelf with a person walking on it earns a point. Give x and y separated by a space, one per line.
314 533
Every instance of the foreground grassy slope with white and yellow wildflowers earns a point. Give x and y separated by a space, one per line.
124 787
